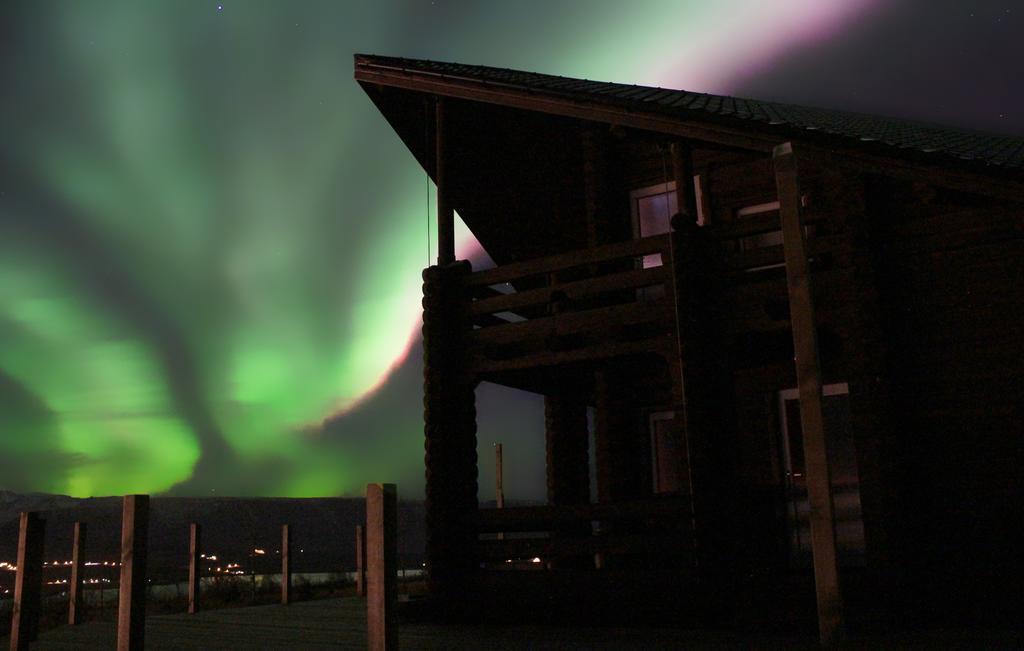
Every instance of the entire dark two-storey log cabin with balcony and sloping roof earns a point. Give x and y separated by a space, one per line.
790 340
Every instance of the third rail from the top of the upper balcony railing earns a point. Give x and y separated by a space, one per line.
603 319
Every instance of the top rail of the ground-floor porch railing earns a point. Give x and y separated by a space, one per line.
559 516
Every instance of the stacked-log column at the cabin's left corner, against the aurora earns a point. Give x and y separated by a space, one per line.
450 417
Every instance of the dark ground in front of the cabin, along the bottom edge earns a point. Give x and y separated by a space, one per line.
340 624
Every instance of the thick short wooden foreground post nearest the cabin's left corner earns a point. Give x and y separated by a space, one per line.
382 581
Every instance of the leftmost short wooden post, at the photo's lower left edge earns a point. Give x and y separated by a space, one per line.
28 581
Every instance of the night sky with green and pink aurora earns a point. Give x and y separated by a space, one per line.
211 241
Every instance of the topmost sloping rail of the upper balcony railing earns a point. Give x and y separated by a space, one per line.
579 257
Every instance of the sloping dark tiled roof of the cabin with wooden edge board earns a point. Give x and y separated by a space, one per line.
897 138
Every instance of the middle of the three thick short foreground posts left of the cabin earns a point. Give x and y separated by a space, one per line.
132 591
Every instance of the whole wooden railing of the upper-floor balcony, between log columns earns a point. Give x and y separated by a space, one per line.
576 307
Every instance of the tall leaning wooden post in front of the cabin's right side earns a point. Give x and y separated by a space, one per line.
809 380
